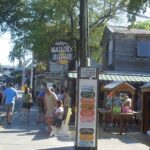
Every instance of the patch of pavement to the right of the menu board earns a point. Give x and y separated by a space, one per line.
114 141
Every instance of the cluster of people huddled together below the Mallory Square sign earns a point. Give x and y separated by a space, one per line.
52 107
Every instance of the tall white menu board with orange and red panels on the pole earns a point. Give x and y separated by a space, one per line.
86 134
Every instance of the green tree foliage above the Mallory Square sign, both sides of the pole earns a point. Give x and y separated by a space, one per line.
36 24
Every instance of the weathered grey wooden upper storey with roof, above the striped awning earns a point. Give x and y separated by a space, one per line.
126 49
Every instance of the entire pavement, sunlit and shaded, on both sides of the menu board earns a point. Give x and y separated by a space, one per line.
32 136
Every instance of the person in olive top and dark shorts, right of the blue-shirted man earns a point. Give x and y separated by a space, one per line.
27 101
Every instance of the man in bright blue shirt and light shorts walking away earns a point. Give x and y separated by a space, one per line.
10 96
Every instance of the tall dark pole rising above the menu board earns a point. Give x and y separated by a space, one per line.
83 32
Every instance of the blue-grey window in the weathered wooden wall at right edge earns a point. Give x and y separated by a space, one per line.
143 48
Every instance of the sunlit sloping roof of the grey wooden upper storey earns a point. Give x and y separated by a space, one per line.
126 30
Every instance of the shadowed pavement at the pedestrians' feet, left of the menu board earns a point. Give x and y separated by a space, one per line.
37 131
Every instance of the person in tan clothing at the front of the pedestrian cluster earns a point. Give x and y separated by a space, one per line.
50 104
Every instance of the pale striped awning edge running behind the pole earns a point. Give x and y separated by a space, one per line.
118 77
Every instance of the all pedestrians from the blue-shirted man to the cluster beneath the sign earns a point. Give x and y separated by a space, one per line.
52 107
